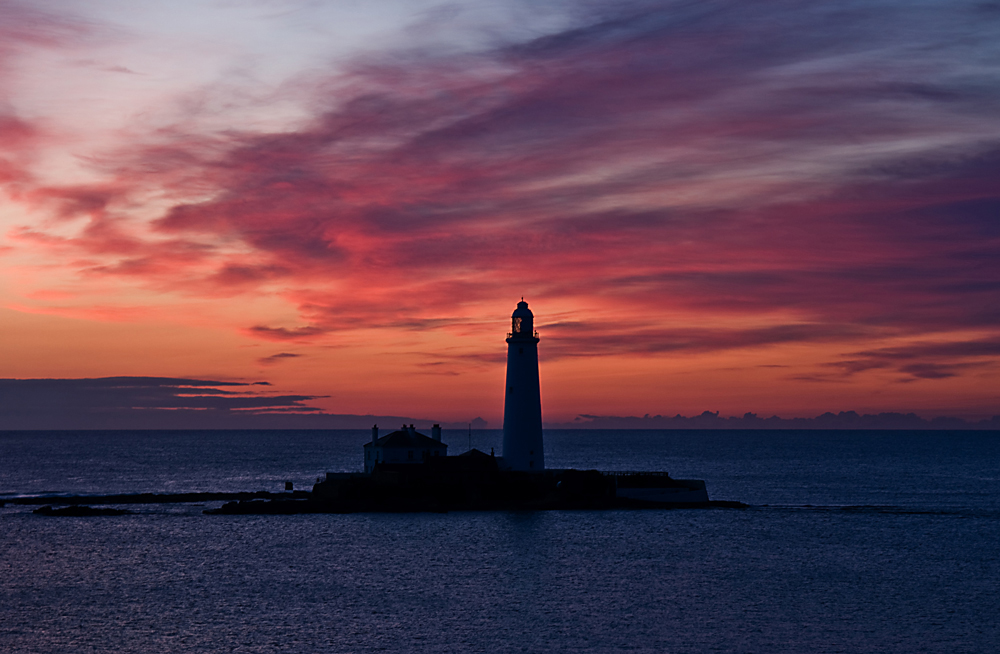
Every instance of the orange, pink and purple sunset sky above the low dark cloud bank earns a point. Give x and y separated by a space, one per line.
779 207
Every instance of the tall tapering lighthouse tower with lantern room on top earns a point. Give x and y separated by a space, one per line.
522 409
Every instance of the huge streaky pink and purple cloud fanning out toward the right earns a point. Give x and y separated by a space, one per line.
702 177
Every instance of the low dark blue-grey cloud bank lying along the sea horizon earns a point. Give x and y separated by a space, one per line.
168 403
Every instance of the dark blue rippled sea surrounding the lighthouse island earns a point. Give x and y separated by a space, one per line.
853 541
